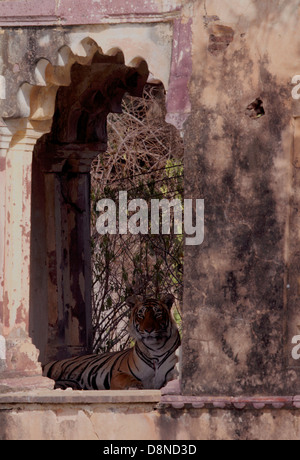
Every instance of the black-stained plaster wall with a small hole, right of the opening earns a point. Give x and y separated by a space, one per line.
237 329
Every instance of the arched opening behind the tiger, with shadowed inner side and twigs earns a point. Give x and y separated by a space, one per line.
78 287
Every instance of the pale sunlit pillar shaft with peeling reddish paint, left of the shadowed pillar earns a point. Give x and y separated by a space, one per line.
21 354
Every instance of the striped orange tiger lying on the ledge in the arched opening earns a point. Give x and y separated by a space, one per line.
146 365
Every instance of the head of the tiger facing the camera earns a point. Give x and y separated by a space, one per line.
151 320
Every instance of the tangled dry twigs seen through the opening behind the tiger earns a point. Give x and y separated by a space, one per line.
144 157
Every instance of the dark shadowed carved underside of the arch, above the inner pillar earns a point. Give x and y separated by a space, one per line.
94 92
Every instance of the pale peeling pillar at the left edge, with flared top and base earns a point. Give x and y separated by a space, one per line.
21 354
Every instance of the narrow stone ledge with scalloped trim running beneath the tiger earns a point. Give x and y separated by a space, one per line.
167 397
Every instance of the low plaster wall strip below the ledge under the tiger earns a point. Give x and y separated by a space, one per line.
44 416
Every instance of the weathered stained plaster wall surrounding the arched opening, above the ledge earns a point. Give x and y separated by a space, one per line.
241 285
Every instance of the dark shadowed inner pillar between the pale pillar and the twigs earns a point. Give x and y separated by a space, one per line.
61 249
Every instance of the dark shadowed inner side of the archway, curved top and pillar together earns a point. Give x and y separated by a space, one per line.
60 315
